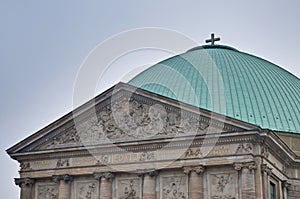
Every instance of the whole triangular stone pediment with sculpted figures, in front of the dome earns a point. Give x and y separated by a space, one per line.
124 113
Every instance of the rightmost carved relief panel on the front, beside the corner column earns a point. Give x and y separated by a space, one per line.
222 185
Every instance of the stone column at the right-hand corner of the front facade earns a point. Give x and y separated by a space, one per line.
246 170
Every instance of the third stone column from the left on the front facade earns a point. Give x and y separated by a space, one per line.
106 185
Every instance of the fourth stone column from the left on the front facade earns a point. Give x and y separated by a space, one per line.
149 184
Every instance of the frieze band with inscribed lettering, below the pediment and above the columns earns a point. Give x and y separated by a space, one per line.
134 157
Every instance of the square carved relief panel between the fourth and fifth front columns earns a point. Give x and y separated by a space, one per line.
174 187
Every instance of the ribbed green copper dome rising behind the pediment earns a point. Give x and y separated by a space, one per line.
226 81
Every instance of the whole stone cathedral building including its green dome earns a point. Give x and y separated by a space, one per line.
150 138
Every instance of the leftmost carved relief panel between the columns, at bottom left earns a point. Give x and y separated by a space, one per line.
47 191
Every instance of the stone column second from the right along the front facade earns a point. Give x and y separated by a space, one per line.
195 174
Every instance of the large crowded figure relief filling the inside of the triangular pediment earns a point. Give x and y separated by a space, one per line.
130 119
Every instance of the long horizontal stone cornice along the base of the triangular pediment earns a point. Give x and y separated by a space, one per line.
147 145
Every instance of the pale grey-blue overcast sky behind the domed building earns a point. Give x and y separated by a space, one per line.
43 44
